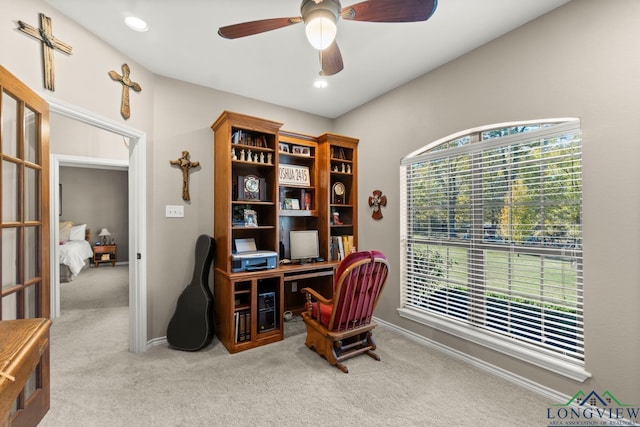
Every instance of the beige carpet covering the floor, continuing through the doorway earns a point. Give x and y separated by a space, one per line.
95 381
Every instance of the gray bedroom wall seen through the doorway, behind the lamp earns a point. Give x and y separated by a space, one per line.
98 198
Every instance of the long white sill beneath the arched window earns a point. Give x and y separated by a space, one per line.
521 351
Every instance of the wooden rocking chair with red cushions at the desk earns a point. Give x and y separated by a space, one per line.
340 328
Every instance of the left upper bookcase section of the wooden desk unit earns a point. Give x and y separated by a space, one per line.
239 141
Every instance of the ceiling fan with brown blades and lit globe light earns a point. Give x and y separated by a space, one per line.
320 18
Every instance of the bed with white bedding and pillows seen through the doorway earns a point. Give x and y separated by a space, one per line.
74 250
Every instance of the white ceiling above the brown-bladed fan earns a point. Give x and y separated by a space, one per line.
280 66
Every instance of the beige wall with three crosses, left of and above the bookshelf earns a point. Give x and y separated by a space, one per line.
175 115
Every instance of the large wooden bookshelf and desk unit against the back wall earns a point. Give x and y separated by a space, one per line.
269 182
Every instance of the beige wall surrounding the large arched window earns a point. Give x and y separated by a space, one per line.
581 60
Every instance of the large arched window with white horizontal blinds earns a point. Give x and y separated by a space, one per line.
491 233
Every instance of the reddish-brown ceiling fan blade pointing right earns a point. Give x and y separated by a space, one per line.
390 10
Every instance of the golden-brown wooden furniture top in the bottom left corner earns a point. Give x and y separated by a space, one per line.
22 342
